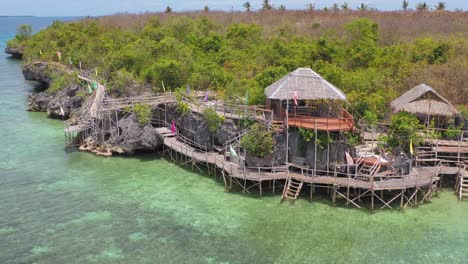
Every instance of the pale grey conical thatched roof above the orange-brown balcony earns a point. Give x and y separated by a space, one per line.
308 85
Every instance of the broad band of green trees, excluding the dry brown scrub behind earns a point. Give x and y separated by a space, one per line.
241 57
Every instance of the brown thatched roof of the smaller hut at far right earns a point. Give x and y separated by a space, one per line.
422 99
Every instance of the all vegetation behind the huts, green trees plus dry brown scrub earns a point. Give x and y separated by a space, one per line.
371 63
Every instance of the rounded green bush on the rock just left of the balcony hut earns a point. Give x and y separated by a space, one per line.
258 141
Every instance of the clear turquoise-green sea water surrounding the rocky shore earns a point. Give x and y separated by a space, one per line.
59 207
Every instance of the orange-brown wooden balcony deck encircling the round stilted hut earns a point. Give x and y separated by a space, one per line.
321 124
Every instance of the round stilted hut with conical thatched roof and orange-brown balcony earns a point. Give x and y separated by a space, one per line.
310 100
